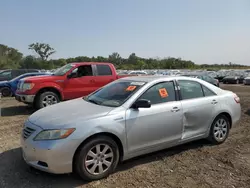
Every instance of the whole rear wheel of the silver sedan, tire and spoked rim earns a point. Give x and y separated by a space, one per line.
219 130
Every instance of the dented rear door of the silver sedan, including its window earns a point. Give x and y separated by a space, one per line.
199 106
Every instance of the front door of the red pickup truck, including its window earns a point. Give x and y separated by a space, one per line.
81 84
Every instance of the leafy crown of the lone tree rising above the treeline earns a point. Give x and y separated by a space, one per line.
42 49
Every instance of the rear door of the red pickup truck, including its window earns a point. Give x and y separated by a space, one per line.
103 75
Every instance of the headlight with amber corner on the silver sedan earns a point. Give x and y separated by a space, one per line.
54 134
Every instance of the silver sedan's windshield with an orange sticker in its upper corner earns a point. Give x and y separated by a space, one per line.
114 94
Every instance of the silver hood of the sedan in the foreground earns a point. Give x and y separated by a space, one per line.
67 114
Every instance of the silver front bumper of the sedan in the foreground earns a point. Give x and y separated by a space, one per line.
53 156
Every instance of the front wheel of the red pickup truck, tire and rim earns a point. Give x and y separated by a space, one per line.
46 99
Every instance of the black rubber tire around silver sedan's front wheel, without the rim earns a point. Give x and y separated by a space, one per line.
81 169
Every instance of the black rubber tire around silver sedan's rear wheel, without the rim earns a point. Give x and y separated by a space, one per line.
212 138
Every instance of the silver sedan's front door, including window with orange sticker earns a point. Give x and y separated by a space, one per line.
157 125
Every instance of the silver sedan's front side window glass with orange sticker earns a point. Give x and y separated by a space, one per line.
160 93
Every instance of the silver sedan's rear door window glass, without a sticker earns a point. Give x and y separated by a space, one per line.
190 89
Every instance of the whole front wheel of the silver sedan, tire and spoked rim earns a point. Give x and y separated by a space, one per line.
97 158
